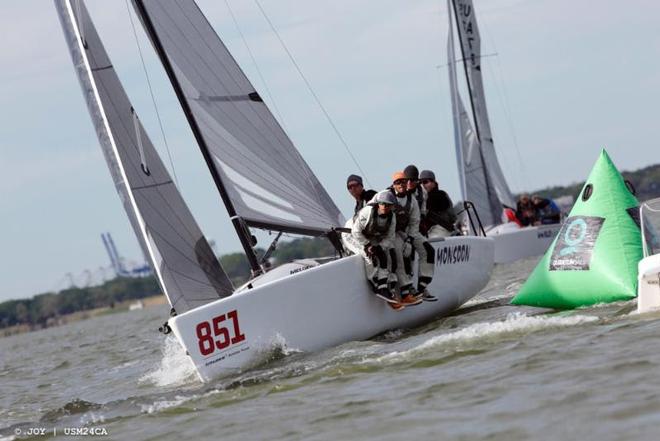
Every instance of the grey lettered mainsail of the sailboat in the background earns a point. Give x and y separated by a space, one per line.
470 41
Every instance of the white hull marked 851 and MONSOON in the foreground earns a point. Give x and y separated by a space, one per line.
320 307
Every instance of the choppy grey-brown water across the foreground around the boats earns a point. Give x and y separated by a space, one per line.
491 371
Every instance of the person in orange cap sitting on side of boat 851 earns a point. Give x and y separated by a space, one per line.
408 238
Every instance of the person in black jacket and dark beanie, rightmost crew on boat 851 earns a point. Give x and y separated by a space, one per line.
440 217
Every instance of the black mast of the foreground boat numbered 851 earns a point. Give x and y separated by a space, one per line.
241 230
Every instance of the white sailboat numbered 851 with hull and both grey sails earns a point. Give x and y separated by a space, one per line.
264 183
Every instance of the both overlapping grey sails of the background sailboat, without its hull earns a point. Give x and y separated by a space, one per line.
485 183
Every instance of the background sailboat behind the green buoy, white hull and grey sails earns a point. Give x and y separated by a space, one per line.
481 179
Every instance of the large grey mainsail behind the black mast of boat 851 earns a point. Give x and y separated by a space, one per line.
266 179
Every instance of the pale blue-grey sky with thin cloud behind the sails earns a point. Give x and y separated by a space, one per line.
563 79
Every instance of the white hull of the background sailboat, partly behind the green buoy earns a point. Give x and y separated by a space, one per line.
513 243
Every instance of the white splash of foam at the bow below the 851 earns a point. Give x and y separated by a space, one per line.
175 368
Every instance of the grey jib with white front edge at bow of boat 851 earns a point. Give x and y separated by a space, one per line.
187 270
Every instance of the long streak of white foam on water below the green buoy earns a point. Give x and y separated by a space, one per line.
515 322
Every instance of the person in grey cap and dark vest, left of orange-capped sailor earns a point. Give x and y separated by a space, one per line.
373 229
